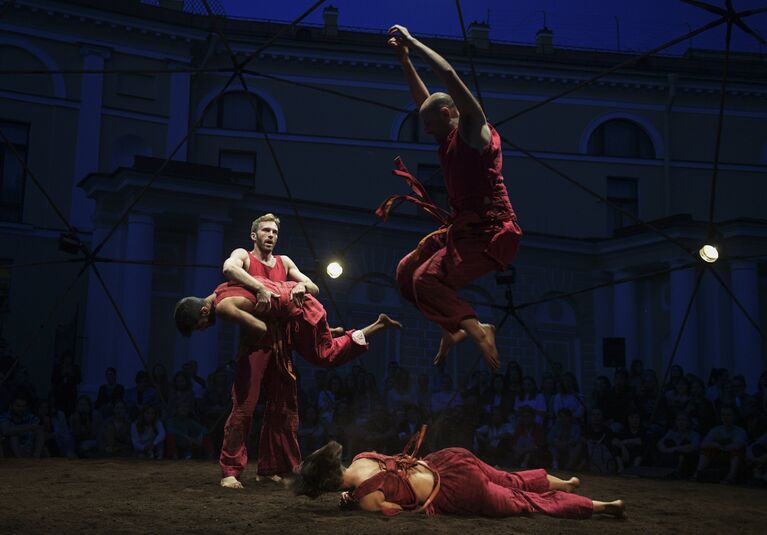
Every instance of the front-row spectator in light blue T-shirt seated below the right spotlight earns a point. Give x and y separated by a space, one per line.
724 444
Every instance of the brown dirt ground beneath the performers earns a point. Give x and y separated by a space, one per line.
135 496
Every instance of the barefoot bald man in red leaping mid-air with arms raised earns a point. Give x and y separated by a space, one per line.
481 234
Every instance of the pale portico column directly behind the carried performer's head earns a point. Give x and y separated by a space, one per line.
208 250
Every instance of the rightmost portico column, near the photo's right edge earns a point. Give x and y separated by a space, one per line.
747 344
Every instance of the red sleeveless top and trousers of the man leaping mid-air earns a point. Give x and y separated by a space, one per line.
481 236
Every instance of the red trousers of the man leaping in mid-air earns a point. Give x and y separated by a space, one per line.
430 276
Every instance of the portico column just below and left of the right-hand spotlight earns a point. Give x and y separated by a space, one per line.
682 283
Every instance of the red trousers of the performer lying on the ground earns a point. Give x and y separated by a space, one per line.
469 486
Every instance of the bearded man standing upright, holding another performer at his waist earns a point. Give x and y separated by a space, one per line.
258 364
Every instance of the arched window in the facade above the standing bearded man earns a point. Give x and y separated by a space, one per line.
240 111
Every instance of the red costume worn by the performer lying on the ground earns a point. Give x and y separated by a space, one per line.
468 486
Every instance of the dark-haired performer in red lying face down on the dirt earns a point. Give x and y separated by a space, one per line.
449 481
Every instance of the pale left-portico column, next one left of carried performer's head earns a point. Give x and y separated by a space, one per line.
137 294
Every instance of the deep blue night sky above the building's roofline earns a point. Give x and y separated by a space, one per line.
642 24
